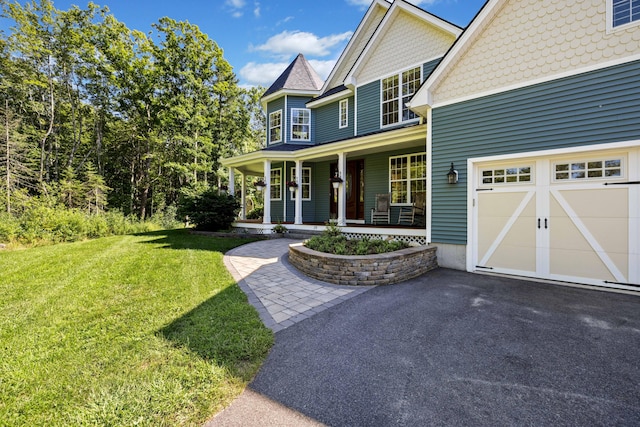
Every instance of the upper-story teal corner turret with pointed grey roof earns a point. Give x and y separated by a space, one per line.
289 121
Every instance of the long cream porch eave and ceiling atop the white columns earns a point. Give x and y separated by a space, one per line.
398 139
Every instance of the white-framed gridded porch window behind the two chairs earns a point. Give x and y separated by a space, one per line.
407 176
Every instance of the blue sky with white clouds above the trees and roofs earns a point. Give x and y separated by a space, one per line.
261 37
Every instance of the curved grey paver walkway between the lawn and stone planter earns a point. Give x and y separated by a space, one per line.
282 295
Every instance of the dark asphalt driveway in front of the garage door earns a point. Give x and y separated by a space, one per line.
453 348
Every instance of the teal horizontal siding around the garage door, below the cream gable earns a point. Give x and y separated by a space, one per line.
598 107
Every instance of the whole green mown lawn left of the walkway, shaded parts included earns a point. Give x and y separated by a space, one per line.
129 330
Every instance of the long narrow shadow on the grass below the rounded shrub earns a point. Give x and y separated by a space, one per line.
182 238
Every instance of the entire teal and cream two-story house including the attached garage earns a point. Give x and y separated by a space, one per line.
523 131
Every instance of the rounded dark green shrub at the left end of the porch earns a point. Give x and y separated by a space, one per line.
209 210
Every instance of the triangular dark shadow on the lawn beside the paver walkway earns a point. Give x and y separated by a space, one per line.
226 330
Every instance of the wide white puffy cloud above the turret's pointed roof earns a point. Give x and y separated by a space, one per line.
292 42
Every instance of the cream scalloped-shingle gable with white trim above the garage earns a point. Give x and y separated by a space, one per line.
513 43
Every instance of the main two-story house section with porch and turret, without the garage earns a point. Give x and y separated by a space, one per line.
355 126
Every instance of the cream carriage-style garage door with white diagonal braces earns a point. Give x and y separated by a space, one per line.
571 218
